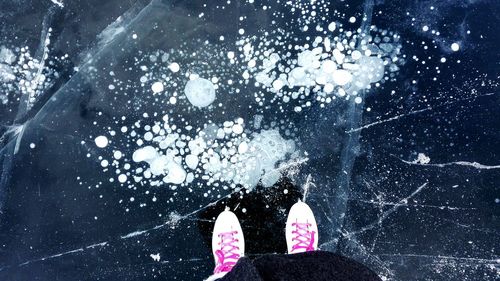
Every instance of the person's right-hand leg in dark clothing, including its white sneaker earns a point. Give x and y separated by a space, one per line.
304 261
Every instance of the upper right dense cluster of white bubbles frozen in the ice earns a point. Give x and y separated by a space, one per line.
332 66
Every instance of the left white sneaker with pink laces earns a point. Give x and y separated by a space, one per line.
228 243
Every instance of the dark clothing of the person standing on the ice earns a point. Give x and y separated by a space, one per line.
314 266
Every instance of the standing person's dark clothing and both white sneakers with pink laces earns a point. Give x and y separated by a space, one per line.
304 261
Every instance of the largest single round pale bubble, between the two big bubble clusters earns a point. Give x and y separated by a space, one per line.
200 92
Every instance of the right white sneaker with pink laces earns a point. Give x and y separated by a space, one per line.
301 229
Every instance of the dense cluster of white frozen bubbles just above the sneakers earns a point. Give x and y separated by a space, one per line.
225 153
